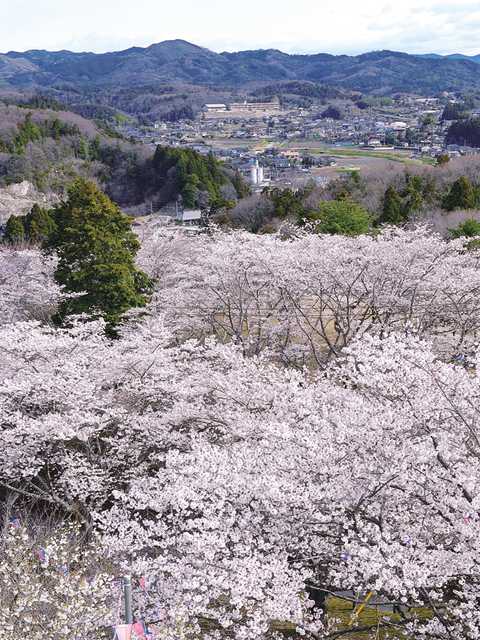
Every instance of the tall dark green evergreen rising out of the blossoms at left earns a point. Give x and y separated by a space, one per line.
96 251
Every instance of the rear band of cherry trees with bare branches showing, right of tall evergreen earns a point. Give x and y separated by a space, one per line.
308 297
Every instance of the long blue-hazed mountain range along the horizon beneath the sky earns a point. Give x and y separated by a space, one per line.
178 61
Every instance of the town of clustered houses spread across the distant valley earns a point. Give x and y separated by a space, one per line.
232 132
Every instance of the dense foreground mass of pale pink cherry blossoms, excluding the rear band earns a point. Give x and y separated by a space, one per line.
230 483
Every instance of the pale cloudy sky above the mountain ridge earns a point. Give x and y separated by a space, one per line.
334 26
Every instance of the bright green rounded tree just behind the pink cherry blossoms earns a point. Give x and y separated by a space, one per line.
342 217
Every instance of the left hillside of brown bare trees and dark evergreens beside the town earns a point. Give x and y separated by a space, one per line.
49 148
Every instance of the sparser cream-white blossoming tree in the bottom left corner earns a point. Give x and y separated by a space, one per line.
52 588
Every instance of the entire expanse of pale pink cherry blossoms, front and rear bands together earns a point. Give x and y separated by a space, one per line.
234 487
